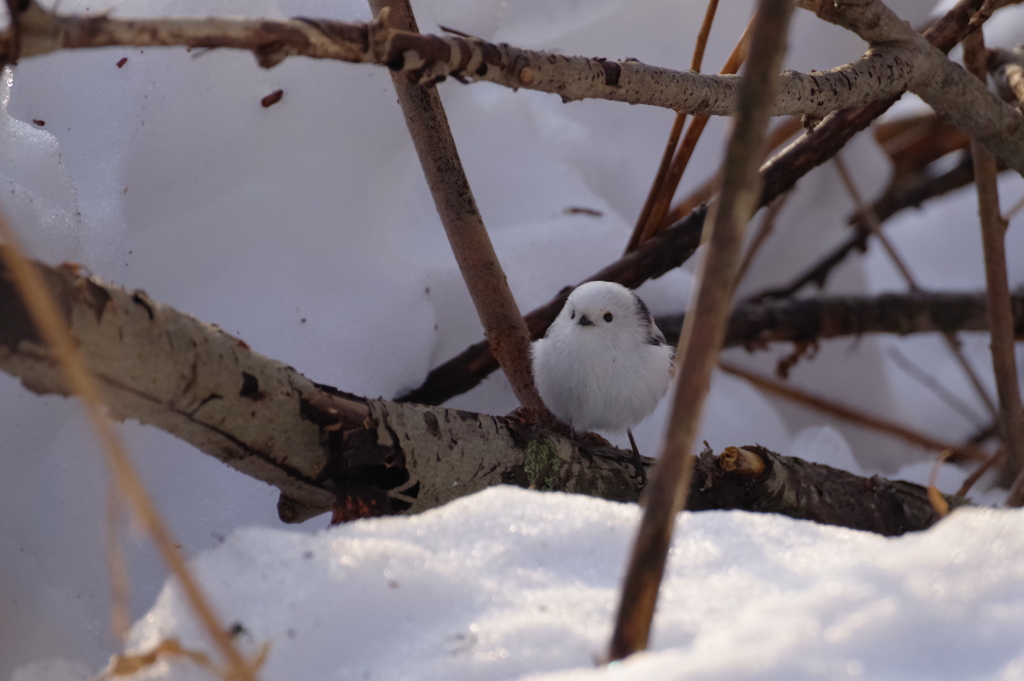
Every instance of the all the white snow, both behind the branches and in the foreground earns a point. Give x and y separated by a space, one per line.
307 230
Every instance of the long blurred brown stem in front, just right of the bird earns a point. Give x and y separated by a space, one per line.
699 352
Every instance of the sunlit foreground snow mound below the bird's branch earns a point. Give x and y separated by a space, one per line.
509 583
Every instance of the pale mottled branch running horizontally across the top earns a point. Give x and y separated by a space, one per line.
892 66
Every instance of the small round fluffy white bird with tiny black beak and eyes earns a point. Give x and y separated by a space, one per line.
604 364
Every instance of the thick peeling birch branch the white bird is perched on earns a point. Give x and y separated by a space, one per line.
328 451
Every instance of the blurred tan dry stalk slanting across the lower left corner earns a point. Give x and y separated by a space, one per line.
55 333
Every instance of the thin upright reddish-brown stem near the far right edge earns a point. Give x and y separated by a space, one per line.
994 229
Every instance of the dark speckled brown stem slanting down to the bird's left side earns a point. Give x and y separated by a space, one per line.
503 324
